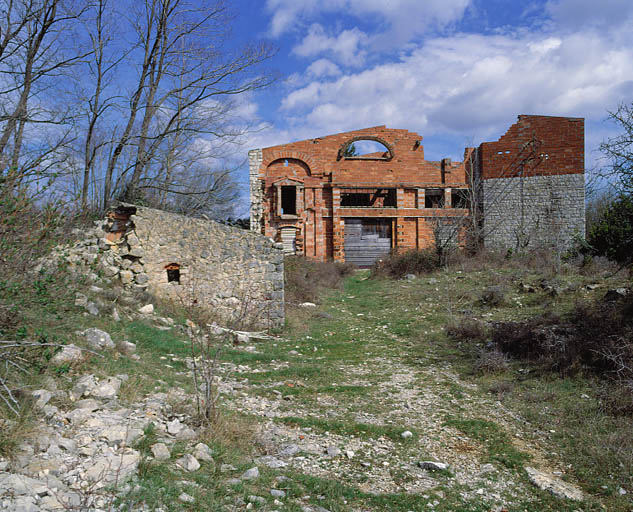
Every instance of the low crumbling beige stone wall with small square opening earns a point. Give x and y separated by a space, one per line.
235 273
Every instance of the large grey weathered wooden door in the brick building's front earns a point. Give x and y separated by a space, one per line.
366 240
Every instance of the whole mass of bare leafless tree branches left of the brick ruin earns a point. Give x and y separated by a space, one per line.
130 100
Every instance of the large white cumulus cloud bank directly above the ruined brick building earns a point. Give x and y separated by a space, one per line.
471 84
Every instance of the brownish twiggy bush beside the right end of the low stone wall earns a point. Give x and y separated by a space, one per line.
306 280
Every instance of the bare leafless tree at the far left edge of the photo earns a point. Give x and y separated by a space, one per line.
33 54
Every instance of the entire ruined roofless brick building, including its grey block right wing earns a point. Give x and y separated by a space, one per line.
324 201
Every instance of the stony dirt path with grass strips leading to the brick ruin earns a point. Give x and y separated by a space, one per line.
361 400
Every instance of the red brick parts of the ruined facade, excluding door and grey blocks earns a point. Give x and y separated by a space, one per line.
311 187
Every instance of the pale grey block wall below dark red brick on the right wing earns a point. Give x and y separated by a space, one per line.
533 211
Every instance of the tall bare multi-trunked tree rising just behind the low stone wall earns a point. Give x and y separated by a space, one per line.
183 90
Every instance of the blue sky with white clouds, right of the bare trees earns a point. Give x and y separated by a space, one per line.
456 71
